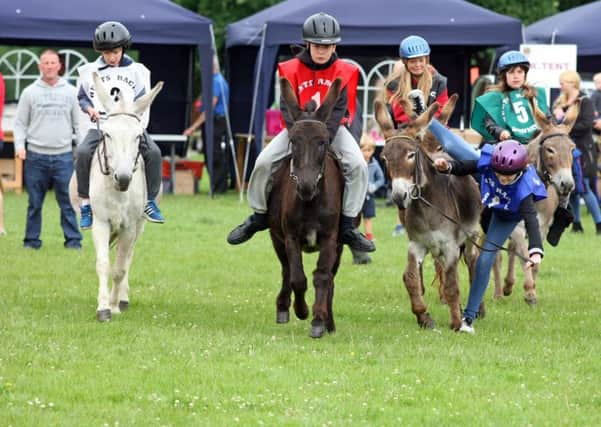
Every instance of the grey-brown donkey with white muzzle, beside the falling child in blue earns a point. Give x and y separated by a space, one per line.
441 211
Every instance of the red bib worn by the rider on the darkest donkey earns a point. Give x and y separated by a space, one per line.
314 84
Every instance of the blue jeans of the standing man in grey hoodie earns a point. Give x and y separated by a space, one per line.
42 171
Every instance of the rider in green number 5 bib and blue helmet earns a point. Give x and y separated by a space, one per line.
506 111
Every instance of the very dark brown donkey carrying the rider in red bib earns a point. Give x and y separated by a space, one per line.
304 211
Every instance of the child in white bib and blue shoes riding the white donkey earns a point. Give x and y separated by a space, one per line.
124 78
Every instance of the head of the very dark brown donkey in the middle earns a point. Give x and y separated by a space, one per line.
309 138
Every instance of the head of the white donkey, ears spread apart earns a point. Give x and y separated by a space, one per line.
122 131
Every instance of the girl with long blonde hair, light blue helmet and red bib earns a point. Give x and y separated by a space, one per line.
415 72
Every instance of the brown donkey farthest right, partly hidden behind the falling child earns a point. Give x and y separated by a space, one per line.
551 153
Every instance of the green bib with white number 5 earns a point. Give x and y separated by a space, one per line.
511 111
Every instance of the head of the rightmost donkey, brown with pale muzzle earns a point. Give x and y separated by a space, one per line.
551 150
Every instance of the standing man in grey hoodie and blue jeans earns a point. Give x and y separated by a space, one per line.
45 126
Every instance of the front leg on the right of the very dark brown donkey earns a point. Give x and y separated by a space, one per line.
323 281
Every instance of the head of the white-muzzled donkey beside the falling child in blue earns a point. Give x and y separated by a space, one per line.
406 161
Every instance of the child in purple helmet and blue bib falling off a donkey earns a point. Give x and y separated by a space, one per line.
509 186
